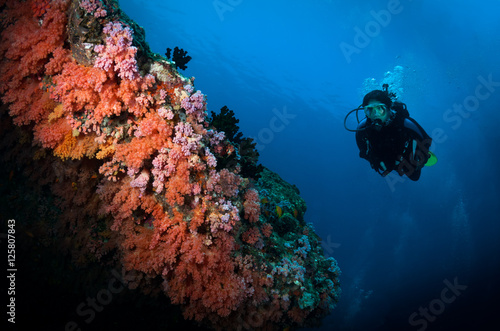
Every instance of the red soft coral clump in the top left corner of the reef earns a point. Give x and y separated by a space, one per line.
27 46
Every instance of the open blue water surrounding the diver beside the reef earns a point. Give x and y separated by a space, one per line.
414 255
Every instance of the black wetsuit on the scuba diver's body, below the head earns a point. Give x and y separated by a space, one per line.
402 145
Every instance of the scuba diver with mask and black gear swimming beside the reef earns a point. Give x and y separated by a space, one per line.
389 138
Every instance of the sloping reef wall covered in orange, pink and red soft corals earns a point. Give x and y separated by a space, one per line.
142 177
